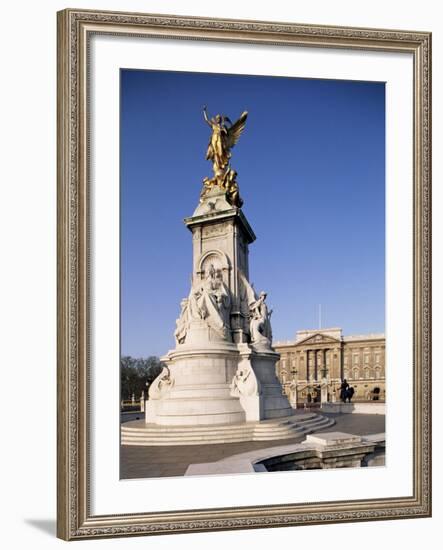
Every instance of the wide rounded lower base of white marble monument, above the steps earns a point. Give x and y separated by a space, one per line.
217 385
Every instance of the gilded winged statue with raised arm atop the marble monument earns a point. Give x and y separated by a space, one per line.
224 136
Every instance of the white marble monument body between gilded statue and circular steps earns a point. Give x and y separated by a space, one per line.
222 370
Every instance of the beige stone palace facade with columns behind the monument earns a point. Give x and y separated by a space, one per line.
323 358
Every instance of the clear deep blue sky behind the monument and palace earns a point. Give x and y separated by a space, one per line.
311 170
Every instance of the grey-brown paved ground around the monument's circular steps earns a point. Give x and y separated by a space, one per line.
168 461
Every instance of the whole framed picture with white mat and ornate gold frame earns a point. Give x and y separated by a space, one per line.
244 320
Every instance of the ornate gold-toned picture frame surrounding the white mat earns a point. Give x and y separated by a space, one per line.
75 31
